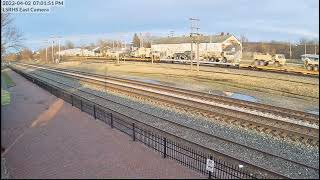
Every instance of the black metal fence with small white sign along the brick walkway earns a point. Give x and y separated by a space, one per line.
167 147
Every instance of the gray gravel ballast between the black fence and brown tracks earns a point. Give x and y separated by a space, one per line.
303 155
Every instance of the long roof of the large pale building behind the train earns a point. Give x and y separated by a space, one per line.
187 39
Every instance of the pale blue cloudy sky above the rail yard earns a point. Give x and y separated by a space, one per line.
85 21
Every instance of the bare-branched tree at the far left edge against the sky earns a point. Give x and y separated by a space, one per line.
11 38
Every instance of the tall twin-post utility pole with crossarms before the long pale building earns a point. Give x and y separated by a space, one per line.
194 34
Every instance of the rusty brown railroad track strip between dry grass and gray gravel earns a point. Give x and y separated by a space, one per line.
284 123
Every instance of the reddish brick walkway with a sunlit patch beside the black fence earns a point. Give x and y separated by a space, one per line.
45 137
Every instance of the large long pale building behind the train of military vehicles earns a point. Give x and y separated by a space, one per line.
215 43
